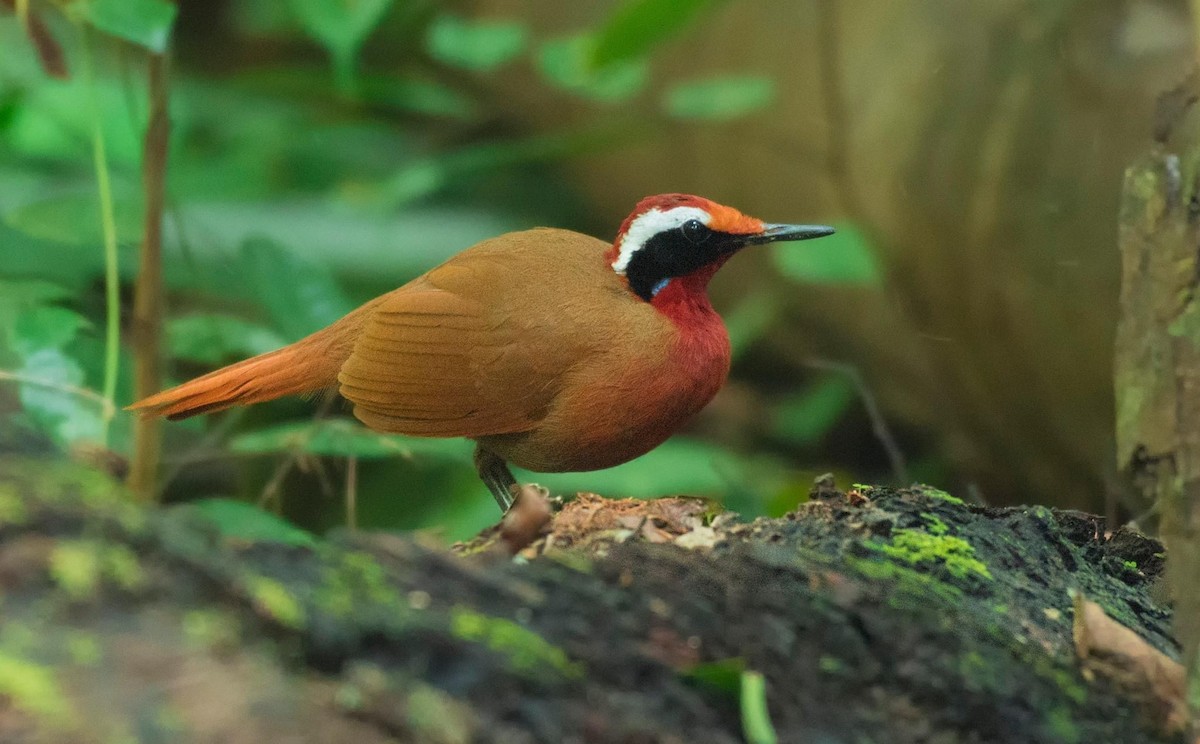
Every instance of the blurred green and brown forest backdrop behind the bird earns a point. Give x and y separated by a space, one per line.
958 331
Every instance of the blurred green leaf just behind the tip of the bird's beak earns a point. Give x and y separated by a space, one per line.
848 257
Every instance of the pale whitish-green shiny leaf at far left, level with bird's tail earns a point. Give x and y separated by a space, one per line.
67 417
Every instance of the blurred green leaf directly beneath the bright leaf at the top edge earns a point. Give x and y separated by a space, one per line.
566 63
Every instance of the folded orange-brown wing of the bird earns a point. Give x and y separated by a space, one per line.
434 362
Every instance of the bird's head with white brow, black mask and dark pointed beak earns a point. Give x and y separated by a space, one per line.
677 239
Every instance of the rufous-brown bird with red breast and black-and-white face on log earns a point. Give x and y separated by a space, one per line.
551 350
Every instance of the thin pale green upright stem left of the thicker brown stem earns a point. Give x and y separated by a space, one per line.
109 225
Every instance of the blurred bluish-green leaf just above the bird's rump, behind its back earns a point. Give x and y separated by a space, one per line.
302 297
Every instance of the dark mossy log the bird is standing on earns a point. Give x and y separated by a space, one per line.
875 616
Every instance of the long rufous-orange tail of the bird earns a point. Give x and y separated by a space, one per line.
307 367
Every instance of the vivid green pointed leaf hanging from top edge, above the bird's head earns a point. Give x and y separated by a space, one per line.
639 26
